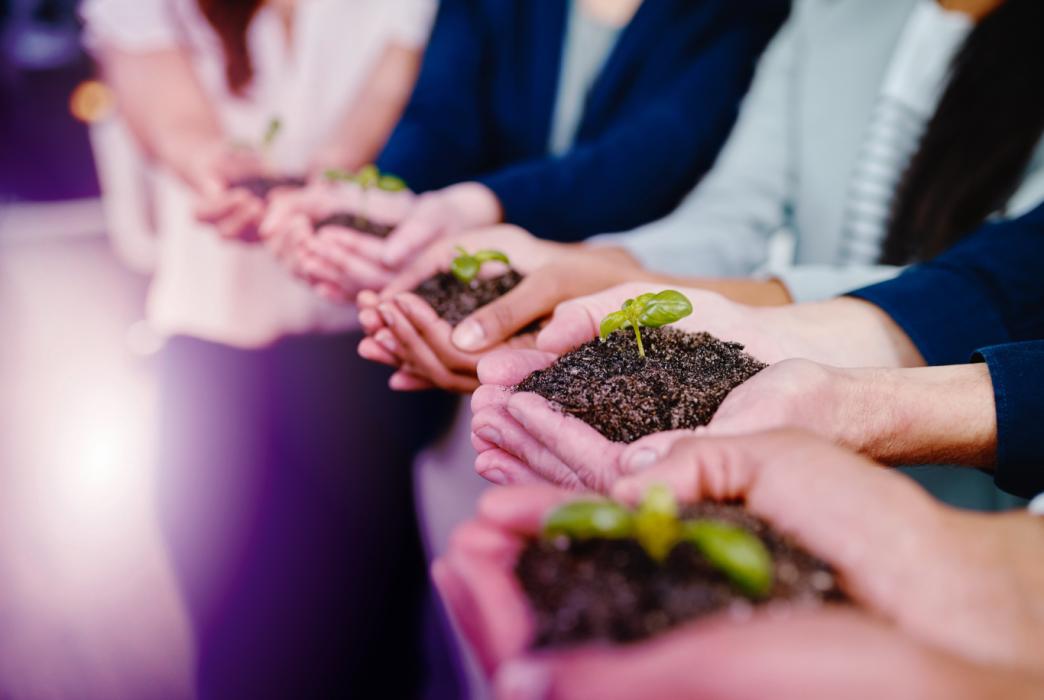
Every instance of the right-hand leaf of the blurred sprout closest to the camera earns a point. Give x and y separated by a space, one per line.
735 552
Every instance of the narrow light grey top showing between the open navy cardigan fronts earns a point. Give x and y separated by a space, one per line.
587 45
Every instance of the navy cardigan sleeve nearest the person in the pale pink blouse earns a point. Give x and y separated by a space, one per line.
442 136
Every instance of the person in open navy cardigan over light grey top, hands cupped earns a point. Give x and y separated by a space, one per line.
568 119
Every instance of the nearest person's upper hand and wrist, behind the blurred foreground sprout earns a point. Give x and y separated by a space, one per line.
951 579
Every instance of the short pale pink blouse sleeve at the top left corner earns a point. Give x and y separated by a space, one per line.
131 26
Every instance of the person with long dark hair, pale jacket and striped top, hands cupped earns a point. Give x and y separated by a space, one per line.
872 137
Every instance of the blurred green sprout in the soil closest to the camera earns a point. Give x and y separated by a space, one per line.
740 555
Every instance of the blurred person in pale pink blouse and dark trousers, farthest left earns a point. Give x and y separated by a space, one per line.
276 446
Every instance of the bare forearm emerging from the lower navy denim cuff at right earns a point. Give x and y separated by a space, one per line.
935 415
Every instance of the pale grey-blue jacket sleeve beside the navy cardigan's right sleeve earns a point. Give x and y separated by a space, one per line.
724 227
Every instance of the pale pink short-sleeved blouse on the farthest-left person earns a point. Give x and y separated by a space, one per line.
228 292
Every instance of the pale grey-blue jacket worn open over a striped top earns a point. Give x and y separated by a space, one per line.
775 201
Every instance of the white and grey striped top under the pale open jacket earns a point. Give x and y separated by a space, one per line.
909 99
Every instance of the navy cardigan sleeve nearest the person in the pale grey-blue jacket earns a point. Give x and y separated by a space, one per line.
640 170
